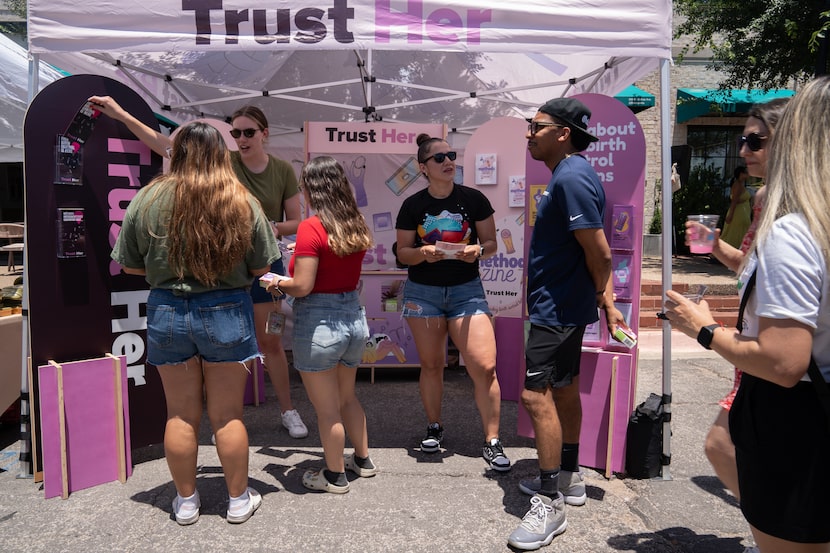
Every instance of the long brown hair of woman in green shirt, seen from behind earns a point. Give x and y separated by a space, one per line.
210 223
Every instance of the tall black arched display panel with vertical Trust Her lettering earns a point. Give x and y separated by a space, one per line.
81 306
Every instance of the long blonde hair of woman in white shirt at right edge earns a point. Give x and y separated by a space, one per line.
798 176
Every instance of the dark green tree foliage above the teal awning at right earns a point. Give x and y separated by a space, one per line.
756 43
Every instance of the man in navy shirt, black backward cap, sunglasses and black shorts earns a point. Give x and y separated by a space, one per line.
568 280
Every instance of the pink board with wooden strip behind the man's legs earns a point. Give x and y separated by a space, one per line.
595 393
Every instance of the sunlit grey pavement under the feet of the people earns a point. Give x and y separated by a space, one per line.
419 502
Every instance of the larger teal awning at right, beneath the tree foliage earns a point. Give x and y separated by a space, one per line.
698 102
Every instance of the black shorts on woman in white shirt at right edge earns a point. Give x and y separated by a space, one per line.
782 446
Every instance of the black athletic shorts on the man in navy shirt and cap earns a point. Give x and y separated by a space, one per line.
552 356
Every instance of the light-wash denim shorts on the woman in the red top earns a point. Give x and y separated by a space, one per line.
328 329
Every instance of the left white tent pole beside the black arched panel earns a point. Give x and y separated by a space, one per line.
25 459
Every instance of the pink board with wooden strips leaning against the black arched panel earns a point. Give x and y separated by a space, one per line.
91 439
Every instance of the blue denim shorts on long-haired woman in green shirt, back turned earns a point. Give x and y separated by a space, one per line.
216 325
